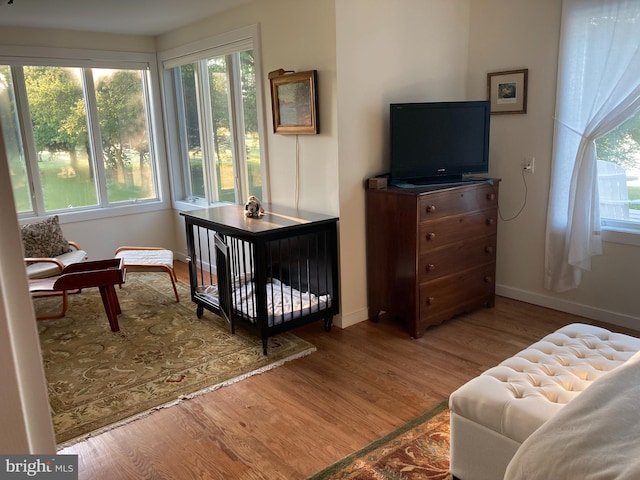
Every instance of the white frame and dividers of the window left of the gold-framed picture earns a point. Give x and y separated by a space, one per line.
228 43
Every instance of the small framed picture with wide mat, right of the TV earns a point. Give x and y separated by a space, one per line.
507 91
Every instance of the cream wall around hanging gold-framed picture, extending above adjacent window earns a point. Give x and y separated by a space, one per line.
295 35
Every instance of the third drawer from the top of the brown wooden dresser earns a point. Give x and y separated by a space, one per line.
456 257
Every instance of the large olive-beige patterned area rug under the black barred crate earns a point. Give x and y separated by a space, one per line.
162 354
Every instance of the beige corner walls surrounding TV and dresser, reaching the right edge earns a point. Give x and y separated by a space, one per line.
442 50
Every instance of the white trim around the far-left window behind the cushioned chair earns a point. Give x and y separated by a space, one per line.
19 55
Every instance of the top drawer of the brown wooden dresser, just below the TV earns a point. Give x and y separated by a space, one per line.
457 201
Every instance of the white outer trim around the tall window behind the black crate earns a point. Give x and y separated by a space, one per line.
225 43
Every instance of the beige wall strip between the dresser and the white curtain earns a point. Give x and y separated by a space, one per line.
509 35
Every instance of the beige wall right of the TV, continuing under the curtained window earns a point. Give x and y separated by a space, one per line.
513 34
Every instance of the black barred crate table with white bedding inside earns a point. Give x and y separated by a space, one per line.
273 273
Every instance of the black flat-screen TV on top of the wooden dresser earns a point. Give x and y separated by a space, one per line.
440 141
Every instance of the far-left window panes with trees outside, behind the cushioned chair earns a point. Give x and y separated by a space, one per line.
77 137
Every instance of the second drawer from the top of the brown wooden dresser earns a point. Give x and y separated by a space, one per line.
444 231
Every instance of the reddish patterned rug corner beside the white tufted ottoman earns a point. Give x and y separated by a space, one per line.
417 450
